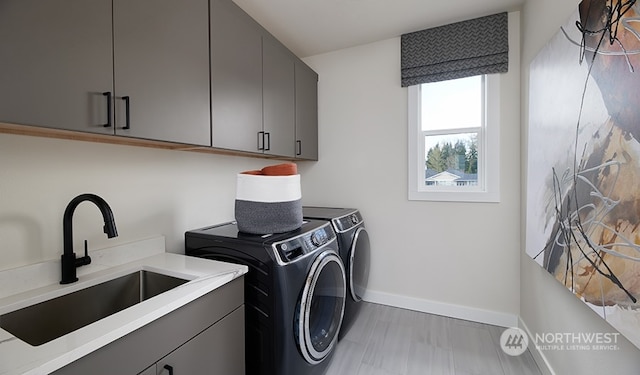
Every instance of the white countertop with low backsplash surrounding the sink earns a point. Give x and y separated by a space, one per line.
26 286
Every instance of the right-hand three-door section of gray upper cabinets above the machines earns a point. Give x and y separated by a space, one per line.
257 99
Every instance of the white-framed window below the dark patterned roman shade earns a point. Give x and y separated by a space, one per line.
454 140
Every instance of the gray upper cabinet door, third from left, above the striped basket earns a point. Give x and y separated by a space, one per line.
236 77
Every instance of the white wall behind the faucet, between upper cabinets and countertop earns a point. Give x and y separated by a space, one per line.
150 191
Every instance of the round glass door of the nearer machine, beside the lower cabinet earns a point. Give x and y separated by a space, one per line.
321 307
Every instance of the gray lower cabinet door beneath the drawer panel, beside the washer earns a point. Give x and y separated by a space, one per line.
217 350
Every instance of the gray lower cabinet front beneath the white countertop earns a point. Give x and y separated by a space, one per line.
205 336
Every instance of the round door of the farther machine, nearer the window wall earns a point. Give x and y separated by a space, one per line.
359 264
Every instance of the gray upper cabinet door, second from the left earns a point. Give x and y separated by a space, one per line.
161 50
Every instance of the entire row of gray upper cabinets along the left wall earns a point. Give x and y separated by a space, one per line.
197 72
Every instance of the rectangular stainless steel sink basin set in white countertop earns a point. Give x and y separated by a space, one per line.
48 320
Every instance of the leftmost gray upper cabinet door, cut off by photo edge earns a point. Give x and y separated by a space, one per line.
56 60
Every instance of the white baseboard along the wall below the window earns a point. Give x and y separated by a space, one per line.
439 308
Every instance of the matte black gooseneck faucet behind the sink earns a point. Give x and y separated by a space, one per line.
69 261
